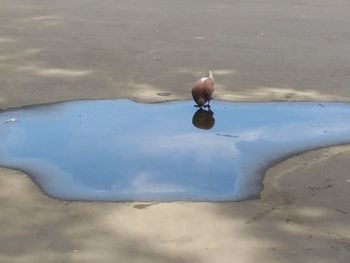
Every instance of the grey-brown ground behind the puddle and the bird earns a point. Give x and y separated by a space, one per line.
258 51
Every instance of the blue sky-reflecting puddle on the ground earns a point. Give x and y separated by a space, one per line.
122 150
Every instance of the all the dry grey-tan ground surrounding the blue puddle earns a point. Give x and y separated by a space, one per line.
152 51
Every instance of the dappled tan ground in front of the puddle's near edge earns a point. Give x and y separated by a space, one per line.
302 216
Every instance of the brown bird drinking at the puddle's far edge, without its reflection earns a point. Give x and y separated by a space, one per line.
203 90
